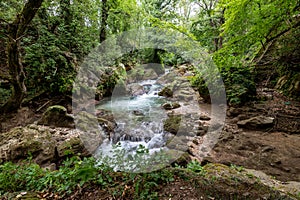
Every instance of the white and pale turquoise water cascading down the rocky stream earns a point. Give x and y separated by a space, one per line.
139 121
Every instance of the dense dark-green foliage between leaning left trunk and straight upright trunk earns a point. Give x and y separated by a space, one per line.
63 40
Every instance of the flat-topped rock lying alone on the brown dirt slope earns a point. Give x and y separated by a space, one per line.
259 122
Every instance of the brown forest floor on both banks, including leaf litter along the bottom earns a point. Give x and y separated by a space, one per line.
275 151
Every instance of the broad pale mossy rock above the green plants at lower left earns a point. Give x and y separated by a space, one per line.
44 144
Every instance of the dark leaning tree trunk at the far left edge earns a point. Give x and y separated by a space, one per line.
16 31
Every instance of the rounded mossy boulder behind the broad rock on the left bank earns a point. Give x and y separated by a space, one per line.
57 116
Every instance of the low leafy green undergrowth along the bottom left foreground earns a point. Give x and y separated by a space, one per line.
75 172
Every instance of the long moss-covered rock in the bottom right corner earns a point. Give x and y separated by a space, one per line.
251 184
